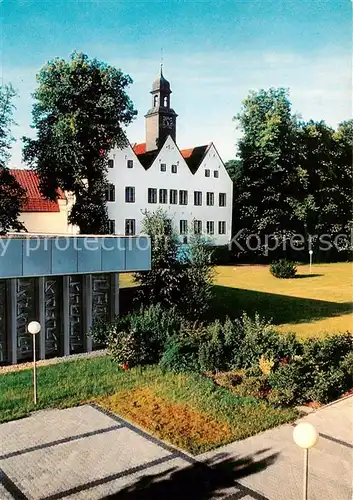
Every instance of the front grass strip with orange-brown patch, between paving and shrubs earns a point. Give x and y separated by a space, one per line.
189 411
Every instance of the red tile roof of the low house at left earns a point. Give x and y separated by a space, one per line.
35 201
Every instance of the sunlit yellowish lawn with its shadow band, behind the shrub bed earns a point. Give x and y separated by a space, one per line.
309 305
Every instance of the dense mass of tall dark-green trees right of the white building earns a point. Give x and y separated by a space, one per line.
290 177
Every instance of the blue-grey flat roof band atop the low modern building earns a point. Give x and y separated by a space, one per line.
34 255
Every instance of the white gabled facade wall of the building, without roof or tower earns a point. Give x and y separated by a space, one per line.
141 179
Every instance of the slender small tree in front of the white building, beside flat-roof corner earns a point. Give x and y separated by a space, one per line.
178 278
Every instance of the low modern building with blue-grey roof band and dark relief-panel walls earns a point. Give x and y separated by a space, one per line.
64 282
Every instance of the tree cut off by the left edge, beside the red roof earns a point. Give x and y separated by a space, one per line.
11 193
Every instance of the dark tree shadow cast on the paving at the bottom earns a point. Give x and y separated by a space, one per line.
200 480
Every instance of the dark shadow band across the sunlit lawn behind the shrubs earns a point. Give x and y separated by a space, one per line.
282 308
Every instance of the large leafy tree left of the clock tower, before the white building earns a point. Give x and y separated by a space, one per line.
80 110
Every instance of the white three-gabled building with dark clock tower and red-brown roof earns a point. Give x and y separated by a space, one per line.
192 185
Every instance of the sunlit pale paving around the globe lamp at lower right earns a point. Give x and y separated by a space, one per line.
330 462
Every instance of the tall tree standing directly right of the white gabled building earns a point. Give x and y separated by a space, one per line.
266 176
